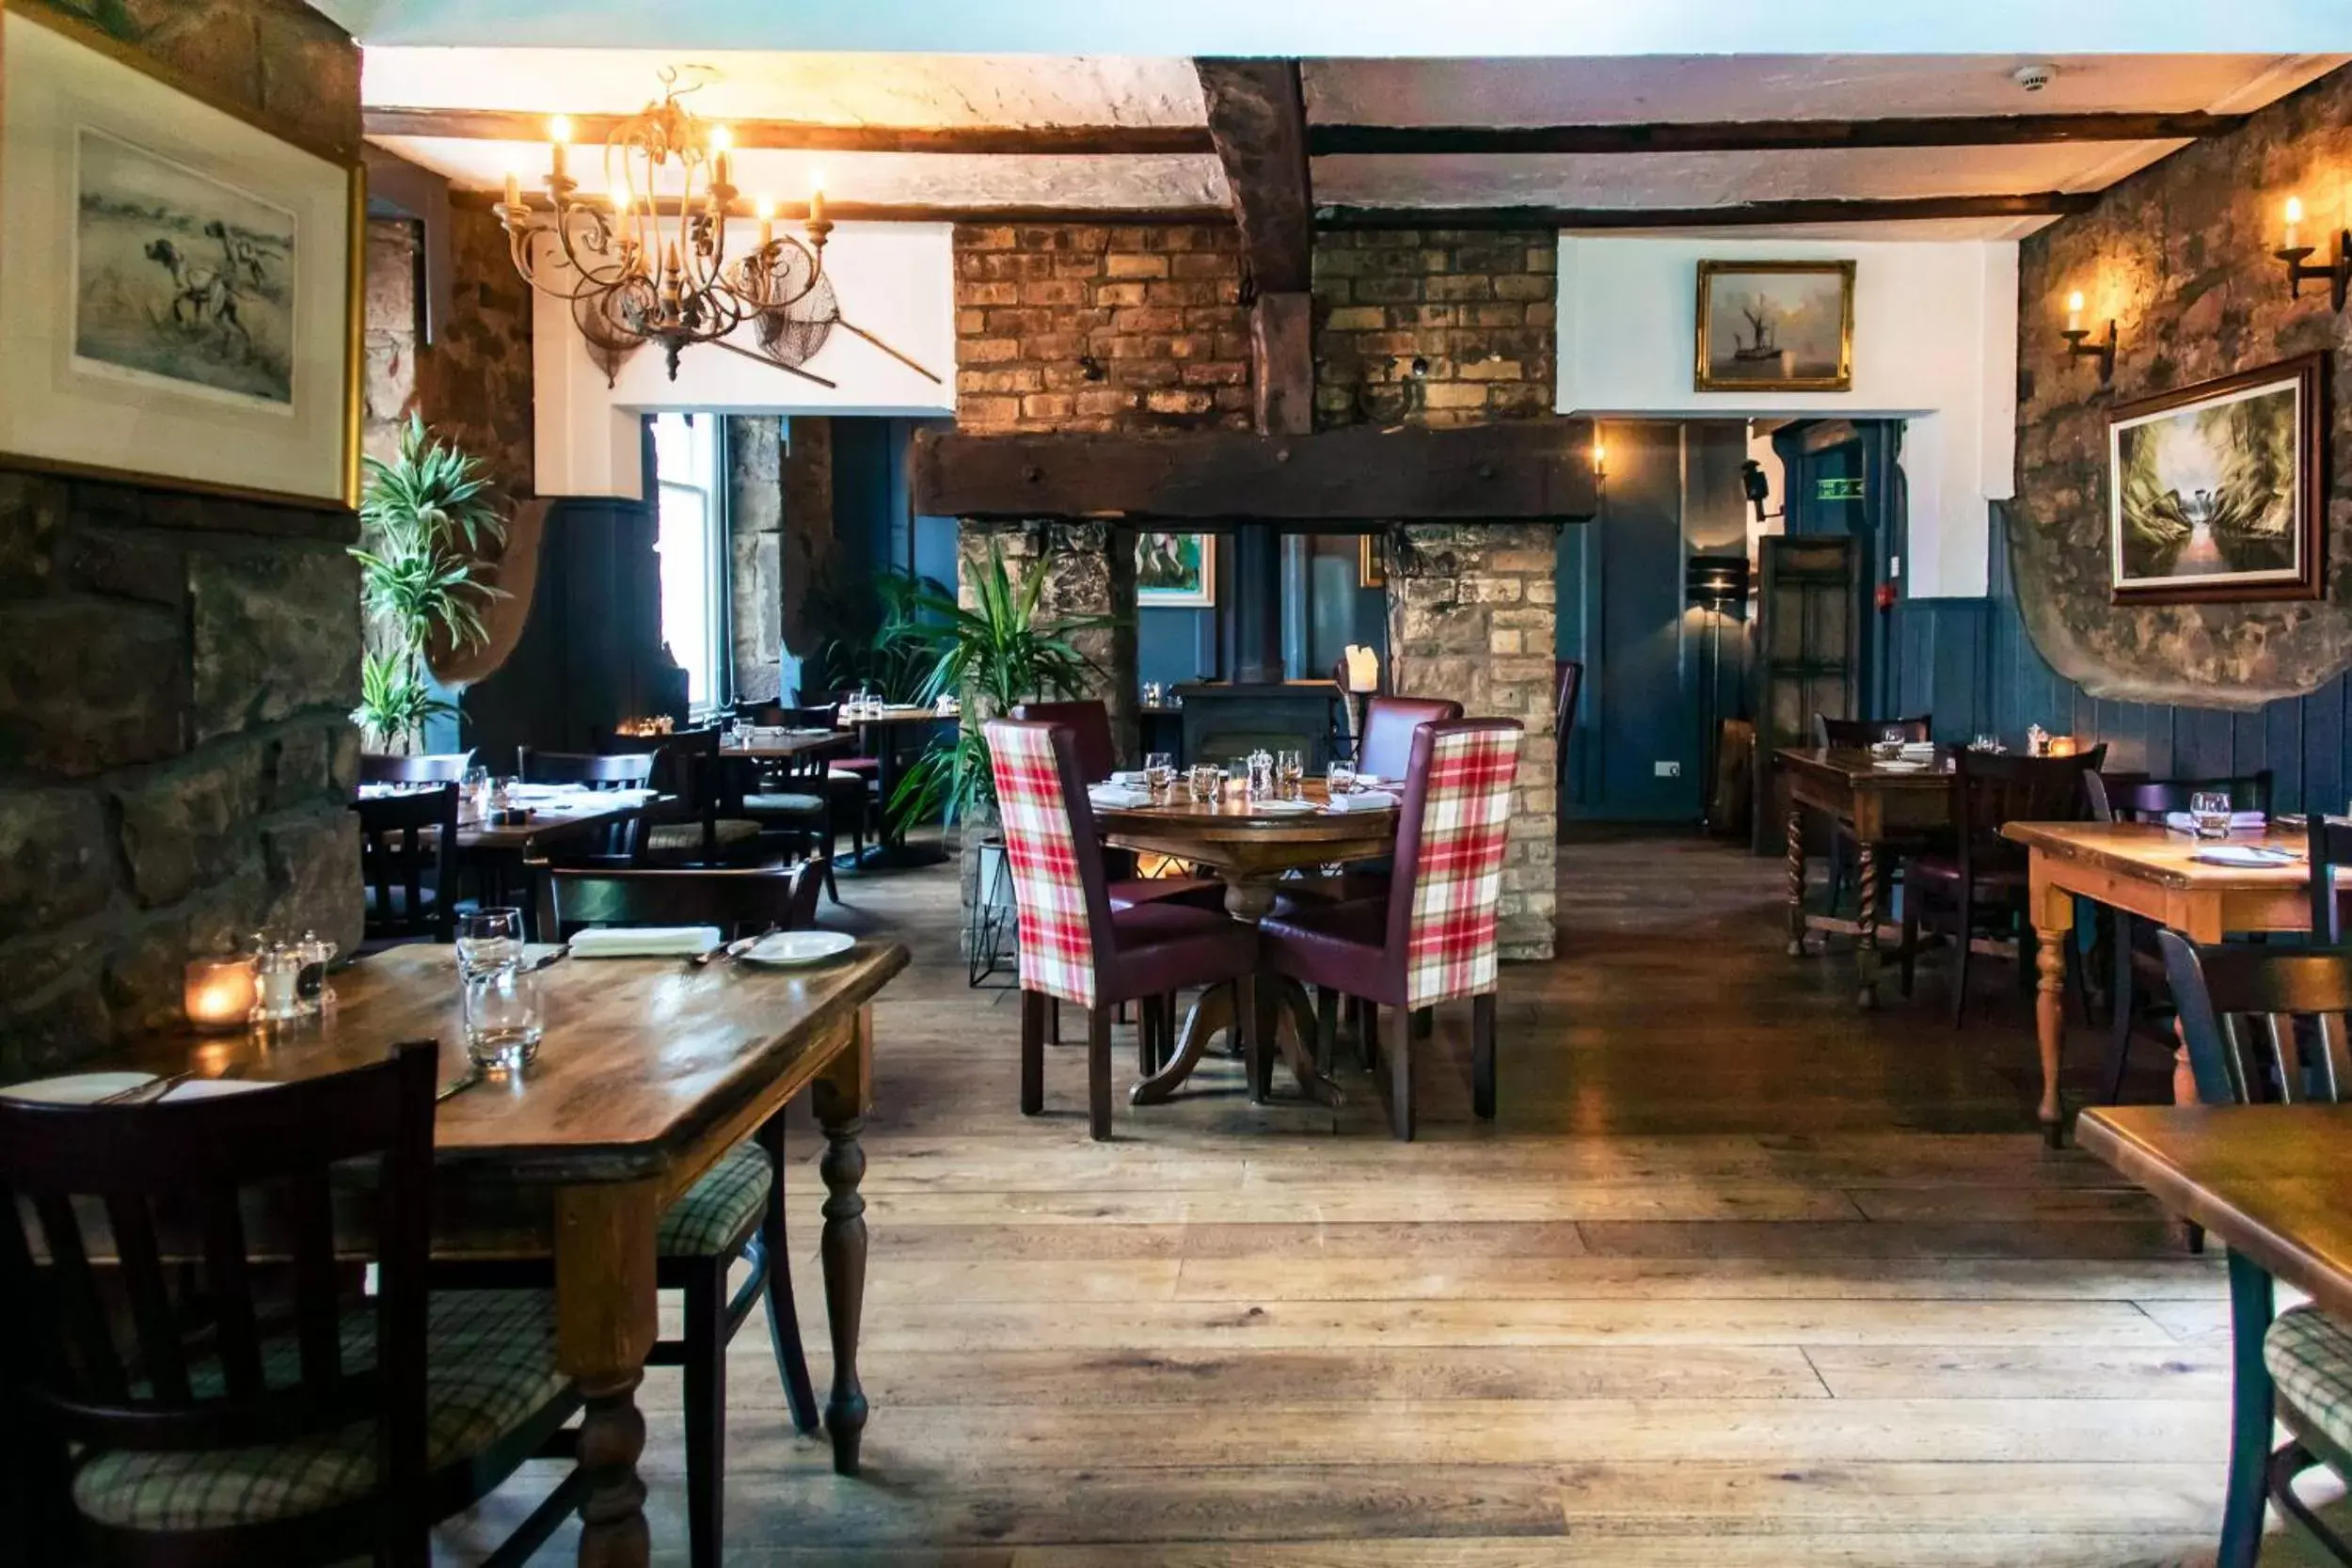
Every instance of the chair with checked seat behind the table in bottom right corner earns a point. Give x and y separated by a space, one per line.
2269 1024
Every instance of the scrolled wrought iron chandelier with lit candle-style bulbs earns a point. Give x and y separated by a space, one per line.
648 260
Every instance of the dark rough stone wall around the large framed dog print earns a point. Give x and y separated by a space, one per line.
175 669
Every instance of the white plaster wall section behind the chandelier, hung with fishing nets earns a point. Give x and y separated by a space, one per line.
897 281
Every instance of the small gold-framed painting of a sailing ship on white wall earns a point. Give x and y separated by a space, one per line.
1775 328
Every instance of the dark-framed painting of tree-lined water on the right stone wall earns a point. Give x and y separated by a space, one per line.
2219 490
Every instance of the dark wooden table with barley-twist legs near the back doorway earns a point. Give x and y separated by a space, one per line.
1883 805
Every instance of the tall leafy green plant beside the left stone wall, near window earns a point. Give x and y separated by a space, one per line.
425 518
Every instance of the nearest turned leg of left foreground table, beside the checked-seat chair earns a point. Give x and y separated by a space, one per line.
606 1327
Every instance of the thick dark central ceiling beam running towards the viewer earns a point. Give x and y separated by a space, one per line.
1259 128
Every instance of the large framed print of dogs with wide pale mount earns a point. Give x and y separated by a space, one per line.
178 286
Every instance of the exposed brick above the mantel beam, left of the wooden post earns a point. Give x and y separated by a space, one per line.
1154 307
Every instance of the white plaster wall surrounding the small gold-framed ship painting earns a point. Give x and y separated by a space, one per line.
1935 344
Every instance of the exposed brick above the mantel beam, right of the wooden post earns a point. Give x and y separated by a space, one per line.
1476 307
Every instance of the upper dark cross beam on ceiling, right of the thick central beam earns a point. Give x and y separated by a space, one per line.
1763 135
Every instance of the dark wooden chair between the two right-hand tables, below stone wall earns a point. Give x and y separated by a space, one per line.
1982 880
